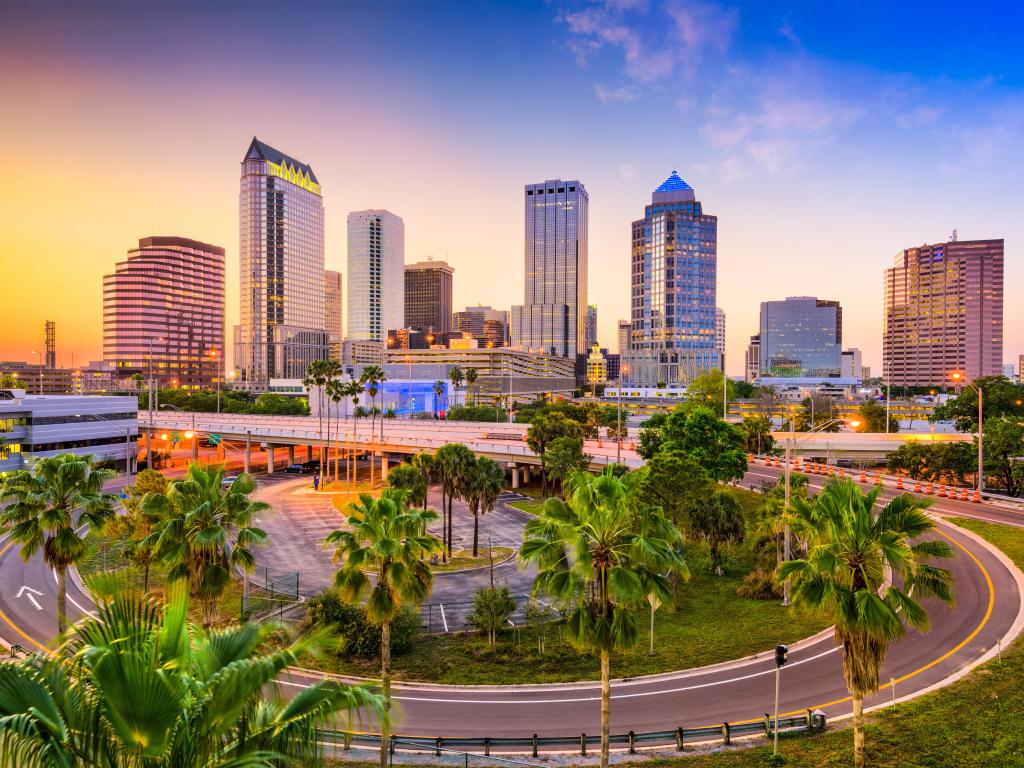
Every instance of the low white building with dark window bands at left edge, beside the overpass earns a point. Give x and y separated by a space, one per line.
34 426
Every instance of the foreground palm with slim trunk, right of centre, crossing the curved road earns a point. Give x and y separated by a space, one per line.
603 558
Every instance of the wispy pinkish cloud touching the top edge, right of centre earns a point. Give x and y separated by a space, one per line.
657 41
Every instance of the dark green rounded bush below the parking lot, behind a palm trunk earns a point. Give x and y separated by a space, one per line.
357 636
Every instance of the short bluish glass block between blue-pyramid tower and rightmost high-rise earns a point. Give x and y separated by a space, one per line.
801 338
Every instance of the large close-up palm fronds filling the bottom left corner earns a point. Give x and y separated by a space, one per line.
140 687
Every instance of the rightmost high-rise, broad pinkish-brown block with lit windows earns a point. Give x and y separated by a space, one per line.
944 314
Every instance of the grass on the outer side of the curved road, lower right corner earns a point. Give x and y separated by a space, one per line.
977 722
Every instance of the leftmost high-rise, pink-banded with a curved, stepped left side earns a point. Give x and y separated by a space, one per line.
166 300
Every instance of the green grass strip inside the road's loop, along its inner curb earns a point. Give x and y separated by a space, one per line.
710 624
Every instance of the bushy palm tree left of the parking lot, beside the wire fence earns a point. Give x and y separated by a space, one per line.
206 531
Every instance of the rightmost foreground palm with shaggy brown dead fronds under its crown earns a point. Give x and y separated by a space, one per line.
850 549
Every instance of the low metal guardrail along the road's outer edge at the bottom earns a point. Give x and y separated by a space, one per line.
810 722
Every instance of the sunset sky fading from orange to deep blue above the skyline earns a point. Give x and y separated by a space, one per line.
825 137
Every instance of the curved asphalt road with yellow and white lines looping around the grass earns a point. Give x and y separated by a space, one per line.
989 609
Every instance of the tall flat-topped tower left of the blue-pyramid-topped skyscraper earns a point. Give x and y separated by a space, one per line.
552 318
